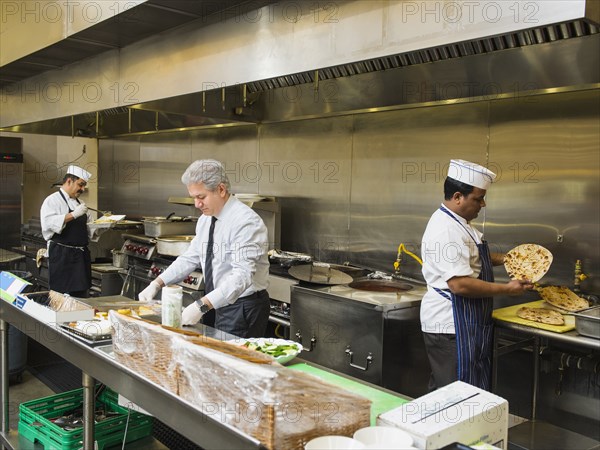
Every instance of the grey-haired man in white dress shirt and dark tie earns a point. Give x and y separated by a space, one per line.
236 272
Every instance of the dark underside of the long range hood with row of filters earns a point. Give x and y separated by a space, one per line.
545 59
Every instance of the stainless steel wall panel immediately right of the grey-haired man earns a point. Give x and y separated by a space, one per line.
308 165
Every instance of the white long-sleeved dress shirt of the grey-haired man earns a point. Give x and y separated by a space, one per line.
240 263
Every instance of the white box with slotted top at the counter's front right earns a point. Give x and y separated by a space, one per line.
458 412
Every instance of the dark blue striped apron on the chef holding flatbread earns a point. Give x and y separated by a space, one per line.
473 324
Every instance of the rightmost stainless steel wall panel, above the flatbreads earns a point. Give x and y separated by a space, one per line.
545 150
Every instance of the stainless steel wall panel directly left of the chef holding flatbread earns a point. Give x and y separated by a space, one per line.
399 164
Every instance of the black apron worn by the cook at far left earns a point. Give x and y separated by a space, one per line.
69 262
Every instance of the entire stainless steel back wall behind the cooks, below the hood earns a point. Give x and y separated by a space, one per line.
352 188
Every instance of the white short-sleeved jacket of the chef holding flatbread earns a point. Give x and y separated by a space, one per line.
448 250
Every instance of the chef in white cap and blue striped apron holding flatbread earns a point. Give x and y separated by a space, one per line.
456 311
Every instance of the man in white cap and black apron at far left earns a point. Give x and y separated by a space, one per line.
64 225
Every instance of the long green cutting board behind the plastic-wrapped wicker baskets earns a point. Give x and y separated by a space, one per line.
382 401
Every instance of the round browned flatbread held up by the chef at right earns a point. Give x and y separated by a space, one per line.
527 262
